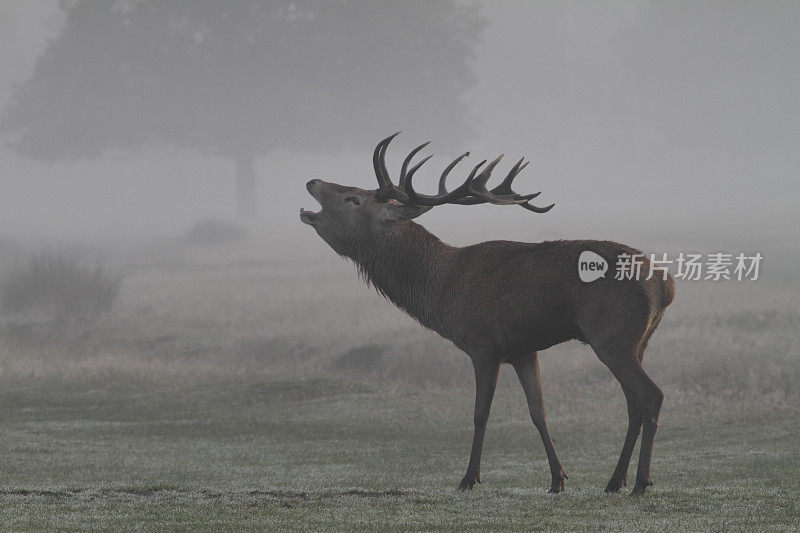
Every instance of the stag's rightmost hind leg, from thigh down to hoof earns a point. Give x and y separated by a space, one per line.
624 363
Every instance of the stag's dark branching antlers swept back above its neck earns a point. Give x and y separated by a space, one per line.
472 191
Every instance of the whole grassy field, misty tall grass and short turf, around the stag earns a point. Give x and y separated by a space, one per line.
253 393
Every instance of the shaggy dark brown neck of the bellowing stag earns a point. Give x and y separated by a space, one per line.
408 265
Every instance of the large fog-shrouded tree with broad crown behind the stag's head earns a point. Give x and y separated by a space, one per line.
243 78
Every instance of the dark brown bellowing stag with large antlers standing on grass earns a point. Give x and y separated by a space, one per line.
501 301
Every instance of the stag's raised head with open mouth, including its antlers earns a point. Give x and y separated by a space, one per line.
350 217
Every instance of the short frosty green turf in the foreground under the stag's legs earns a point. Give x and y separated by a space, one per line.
324 453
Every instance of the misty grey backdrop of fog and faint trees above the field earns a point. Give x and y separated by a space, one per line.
678 122
